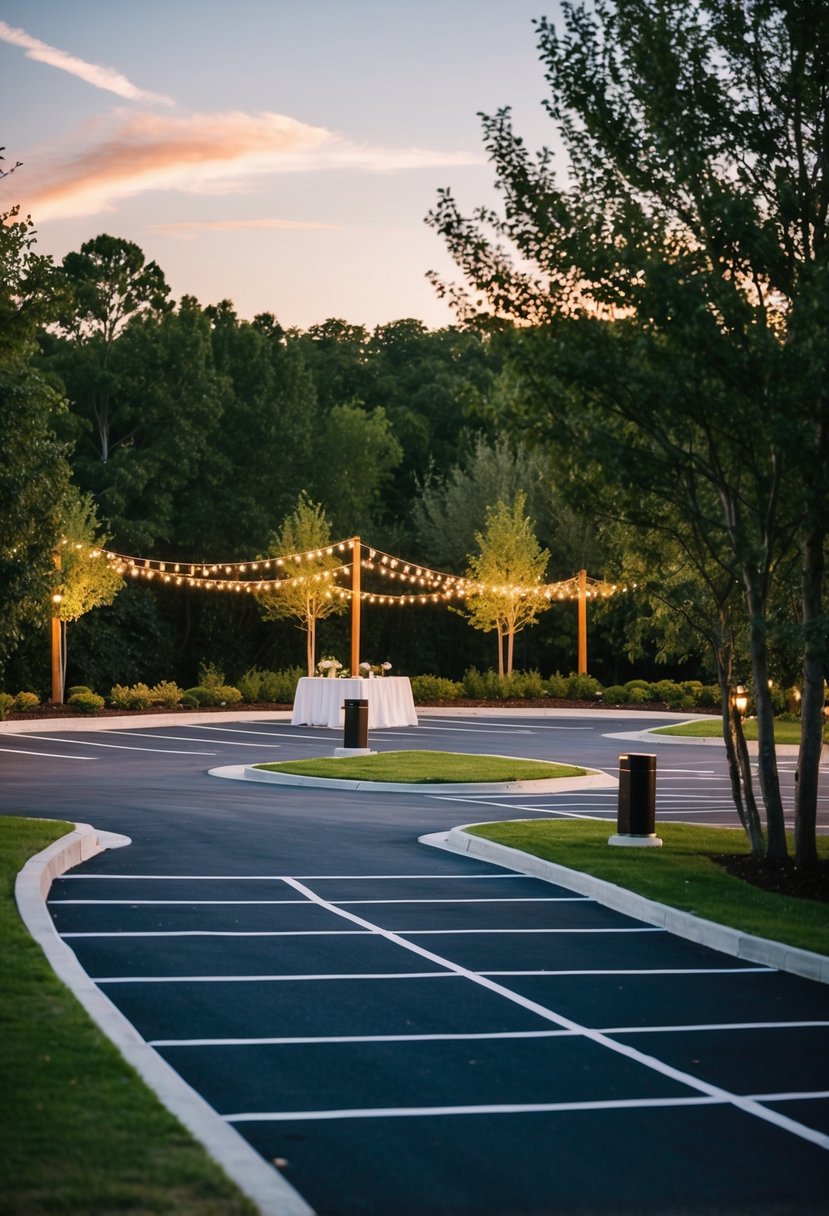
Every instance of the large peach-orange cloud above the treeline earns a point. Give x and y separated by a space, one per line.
207 154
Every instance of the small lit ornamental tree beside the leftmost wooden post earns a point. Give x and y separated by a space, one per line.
86 578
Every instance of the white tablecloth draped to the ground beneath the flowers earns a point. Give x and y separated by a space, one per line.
319 701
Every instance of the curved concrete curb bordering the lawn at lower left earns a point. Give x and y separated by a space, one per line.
260 1181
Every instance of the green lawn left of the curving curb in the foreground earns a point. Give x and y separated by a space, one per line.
82 1135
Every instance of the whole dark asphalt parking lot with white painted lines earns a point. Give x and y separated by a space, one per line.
403 1031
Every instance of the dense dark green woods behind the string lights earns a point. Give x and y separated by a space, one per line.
194 432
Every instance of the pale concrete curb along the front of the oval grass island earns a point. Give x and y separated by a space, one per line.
595 780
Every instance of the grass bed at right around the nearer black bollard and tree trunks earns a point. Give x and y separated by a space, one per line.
681 874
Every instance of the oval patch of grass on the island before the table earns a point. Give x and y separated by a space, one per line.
425 768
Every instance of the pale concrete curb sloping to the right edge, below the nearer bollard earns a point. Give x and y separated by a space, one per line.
684 925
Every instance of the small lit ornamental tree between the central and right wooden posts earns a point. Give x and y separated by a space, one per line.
510 568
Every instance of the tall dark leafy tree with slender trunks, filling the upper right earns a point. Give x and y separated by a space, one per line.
674 289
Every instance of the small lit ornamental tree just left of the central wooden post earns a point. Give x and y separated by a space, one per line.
308 592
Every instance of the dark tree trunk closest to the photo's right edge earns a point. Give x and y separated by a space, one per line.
816 649
